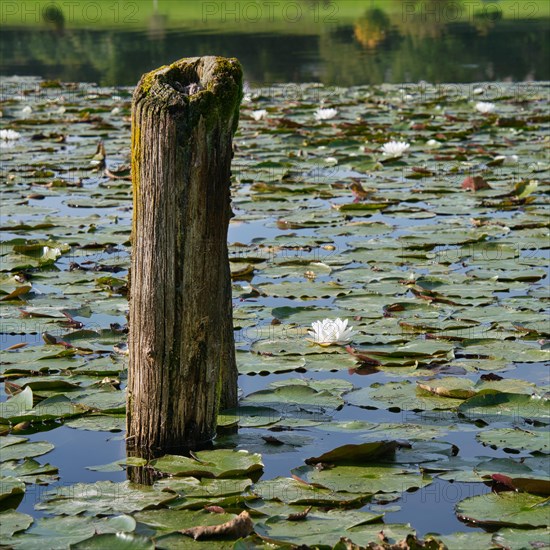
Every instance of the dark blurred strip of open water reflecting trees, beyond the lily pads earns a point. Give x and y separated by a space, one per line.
376 48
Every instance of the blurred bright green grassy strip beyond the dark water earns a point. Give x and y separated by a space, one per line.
300 17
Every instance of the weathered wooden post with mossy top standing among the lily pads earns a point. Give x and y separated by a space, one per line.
182 358
